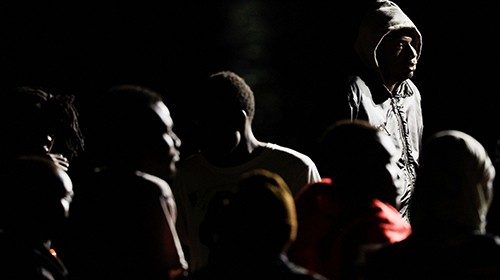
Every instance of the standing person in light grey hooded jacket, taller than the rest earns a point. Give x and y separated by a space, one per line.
389 46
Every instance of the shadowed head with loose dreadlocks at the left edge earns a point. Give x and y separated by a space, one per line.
34 122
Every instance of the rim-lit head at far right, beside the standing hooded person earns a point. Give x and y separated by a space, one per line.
453 191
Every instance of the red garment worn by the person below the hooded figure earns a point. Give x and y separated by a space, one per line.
335 233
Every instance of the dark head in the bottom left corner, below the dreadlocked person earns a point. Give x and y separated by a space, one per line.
34 198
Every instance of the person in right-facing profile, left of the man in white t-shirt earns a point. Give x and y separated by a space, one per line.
122 225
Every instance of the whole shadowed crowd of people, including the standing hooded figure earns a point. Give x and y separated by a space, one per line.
113 198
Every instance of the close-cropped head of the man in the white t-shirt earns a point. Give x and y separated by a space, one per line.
227 108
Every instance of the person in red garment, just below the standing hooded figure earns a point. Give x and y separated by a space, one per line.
355 210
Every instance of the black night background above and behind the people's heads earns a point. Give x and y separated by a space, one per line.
294 54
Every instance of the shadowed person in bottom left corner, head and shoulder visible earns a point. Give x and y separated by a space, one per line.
34 201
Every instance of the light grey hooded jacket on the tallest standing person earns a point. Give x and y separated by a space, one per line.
399 113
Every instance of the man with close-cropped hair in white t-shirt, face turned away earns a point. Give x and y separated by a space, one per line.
228 148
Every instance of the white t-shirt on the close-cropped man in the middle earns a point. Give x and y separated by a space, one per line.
197 181
